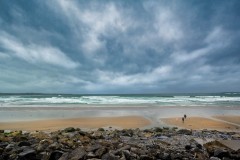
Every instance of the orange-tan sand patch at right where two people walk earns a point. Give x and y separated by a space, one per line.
199 123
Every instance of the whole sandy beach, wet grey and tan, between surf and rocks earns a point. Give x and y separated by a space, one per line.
118 116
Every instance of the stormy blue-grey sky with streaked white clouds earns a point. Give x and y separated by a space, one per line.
164 46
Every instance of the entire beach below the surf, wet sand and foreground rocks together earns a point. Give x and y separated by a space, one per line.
119 132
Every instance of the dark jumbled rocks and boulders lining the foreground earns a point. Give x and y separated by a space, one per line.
111 144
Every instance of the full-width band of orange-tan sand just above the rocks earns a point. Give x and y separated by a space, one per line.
216 122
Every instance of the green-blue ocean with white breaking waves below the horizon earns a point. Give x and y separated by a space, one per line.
183 99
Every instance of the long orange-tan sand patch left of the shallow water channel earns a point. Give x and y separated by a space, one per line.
83 123
